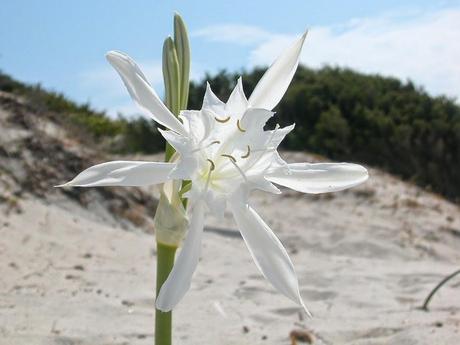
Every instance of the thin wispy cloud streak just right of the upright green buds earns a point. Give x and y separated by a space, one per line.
233 33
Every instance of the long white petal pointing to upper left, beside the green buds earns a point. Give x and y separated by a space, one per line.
141 91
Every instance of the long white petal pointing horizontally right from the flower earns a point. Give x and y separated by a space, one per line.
320 177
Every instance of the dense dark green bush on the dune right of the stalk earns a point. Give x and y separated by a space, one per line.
374 120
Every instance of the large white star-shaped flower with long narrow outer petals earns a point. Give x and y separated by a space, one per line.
225 152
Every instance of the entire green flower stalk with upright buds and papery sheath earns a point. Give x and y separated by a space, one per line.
170 218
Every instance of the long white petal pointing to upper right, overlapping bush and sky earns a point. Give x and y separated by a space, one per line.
277 78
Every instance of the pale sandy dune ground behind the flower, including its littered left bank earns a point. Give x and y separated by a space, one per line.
77 265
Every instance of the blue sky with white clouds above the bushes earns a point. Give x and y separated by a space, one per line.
61 44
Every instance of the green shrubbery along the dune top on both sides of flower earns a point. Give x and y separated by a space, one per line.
339 113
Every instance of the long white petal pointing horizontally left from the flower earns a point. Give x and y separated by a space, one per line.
122 173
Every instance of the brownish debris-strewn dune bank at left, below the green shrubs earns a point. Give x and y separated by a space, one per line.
37 152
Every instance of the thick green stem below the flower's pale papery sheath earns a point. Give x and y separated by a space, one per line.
163 321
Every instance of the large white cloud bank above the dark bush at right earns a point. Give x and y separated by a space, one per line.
422 47
